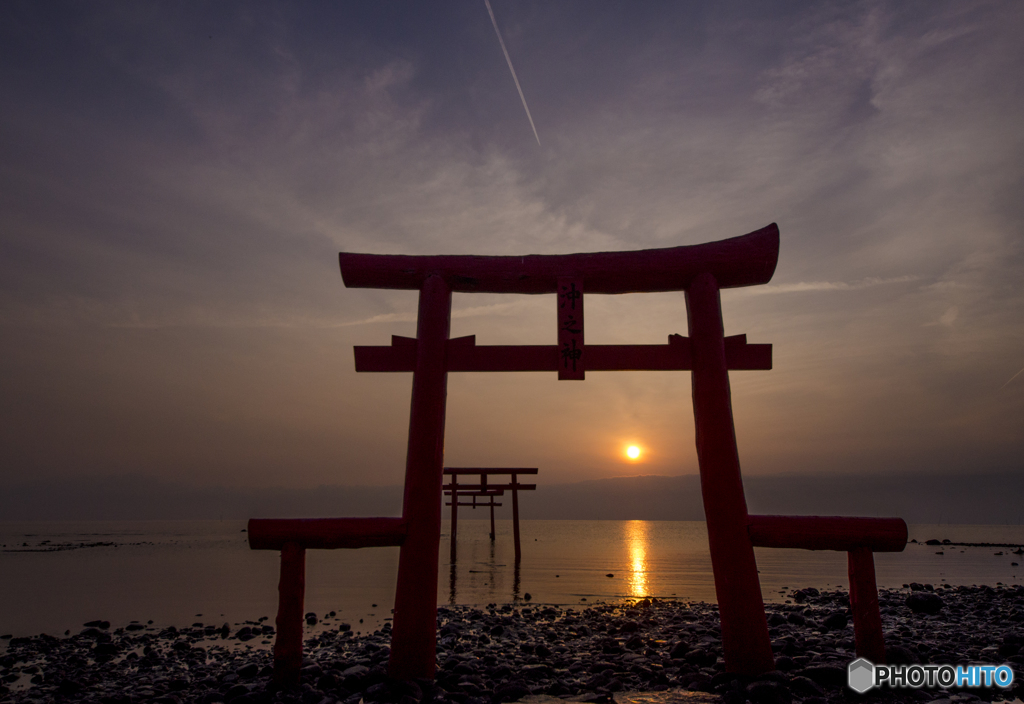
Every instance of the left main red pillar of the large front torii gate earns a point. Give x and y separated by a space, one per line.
415 627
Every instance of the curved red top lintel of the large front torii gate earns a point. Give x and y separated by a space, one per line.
747 260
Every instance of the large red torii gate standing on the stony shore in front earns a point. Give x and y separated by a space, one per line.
701 272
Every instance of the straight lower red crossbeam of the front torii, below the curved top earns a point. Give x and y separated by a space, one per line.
465 356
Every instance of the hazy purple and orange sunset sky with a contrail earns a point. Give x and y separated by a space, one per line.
177 181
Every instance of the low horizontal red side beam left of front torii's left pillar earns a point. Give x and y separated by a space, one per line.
326 534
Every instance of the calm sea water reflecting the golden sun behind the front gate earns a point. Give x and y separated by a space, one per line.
179 574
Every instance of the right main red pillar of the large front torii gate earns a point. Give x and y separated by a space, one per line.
746 645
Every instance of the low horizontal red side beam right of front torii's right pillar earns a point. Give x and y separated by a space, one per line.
832 533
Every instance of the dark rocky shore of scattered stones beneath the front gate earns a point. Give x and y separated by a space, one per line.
513 652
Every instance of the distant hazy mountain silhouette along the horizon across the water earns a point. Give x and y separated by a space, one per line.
991 499
